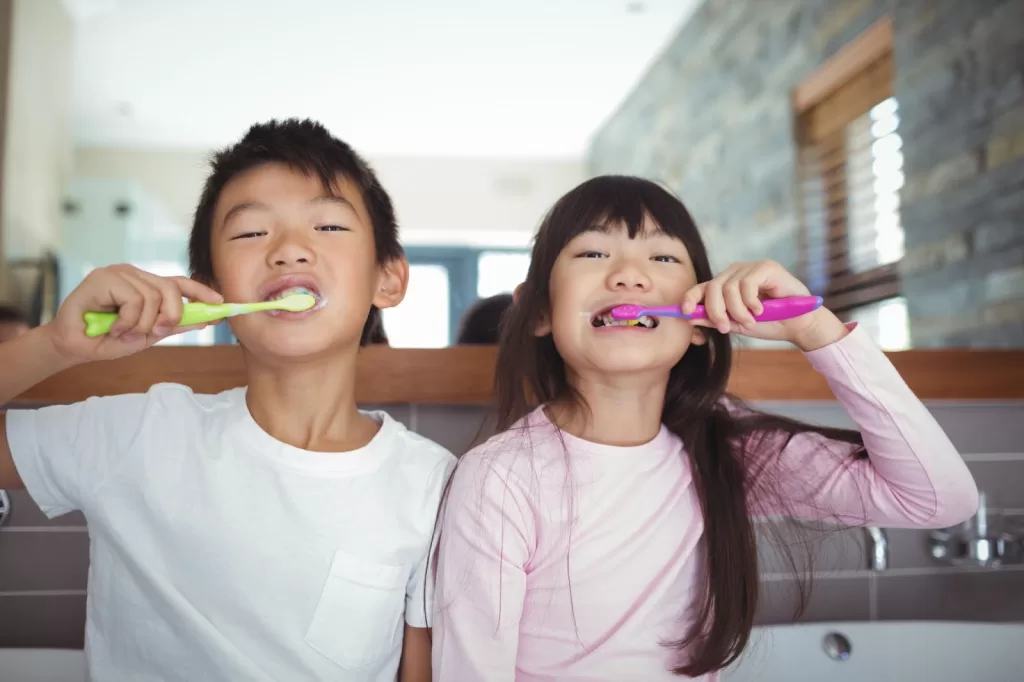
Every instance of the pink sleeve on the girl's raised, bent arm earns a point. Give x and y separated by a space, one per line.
913 478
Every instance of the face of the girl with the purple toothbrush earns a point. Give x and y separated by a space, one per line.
599 271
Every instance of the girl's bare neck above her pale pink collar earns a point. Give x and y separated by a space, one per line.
622 411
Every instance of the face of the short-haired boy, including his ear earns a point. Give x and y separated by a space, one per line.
276 229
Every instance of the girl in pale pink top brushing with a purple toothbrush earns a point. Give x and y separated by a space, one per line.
607 535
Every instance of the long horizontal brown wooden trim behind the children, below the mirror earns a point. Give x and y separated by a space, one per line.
464 375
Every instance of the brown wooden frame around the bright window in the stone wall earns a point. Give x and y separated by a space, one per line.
823 106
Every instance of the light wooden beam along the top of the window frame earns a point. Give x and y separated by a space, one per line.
844 66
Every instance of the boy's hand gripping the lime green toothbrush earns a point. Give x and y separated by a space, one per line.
149 308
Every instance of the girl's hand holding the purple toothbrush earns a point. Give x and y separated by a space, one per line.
734 297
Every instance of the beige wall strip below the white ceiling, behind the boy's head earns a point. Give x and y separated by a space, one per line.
439 201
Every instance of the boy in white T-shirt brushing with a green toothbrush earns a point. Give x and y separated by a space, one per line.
269 533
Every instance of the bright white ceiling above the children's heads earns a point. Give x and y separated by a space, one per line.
527 78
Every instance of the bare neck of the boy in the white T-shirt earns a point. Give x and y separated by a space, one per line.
311 406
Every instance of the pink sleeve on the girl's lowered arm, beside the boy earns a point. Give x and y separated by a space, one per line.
487 537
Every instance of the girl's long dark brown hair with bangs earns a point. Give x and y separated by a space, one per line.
730 445
